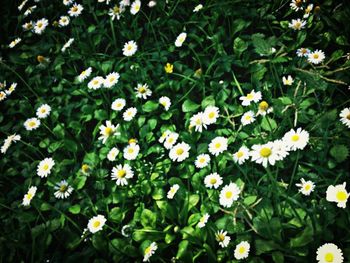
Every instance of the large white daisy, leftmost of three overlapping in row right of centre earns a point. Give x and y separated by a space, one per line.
264 154
